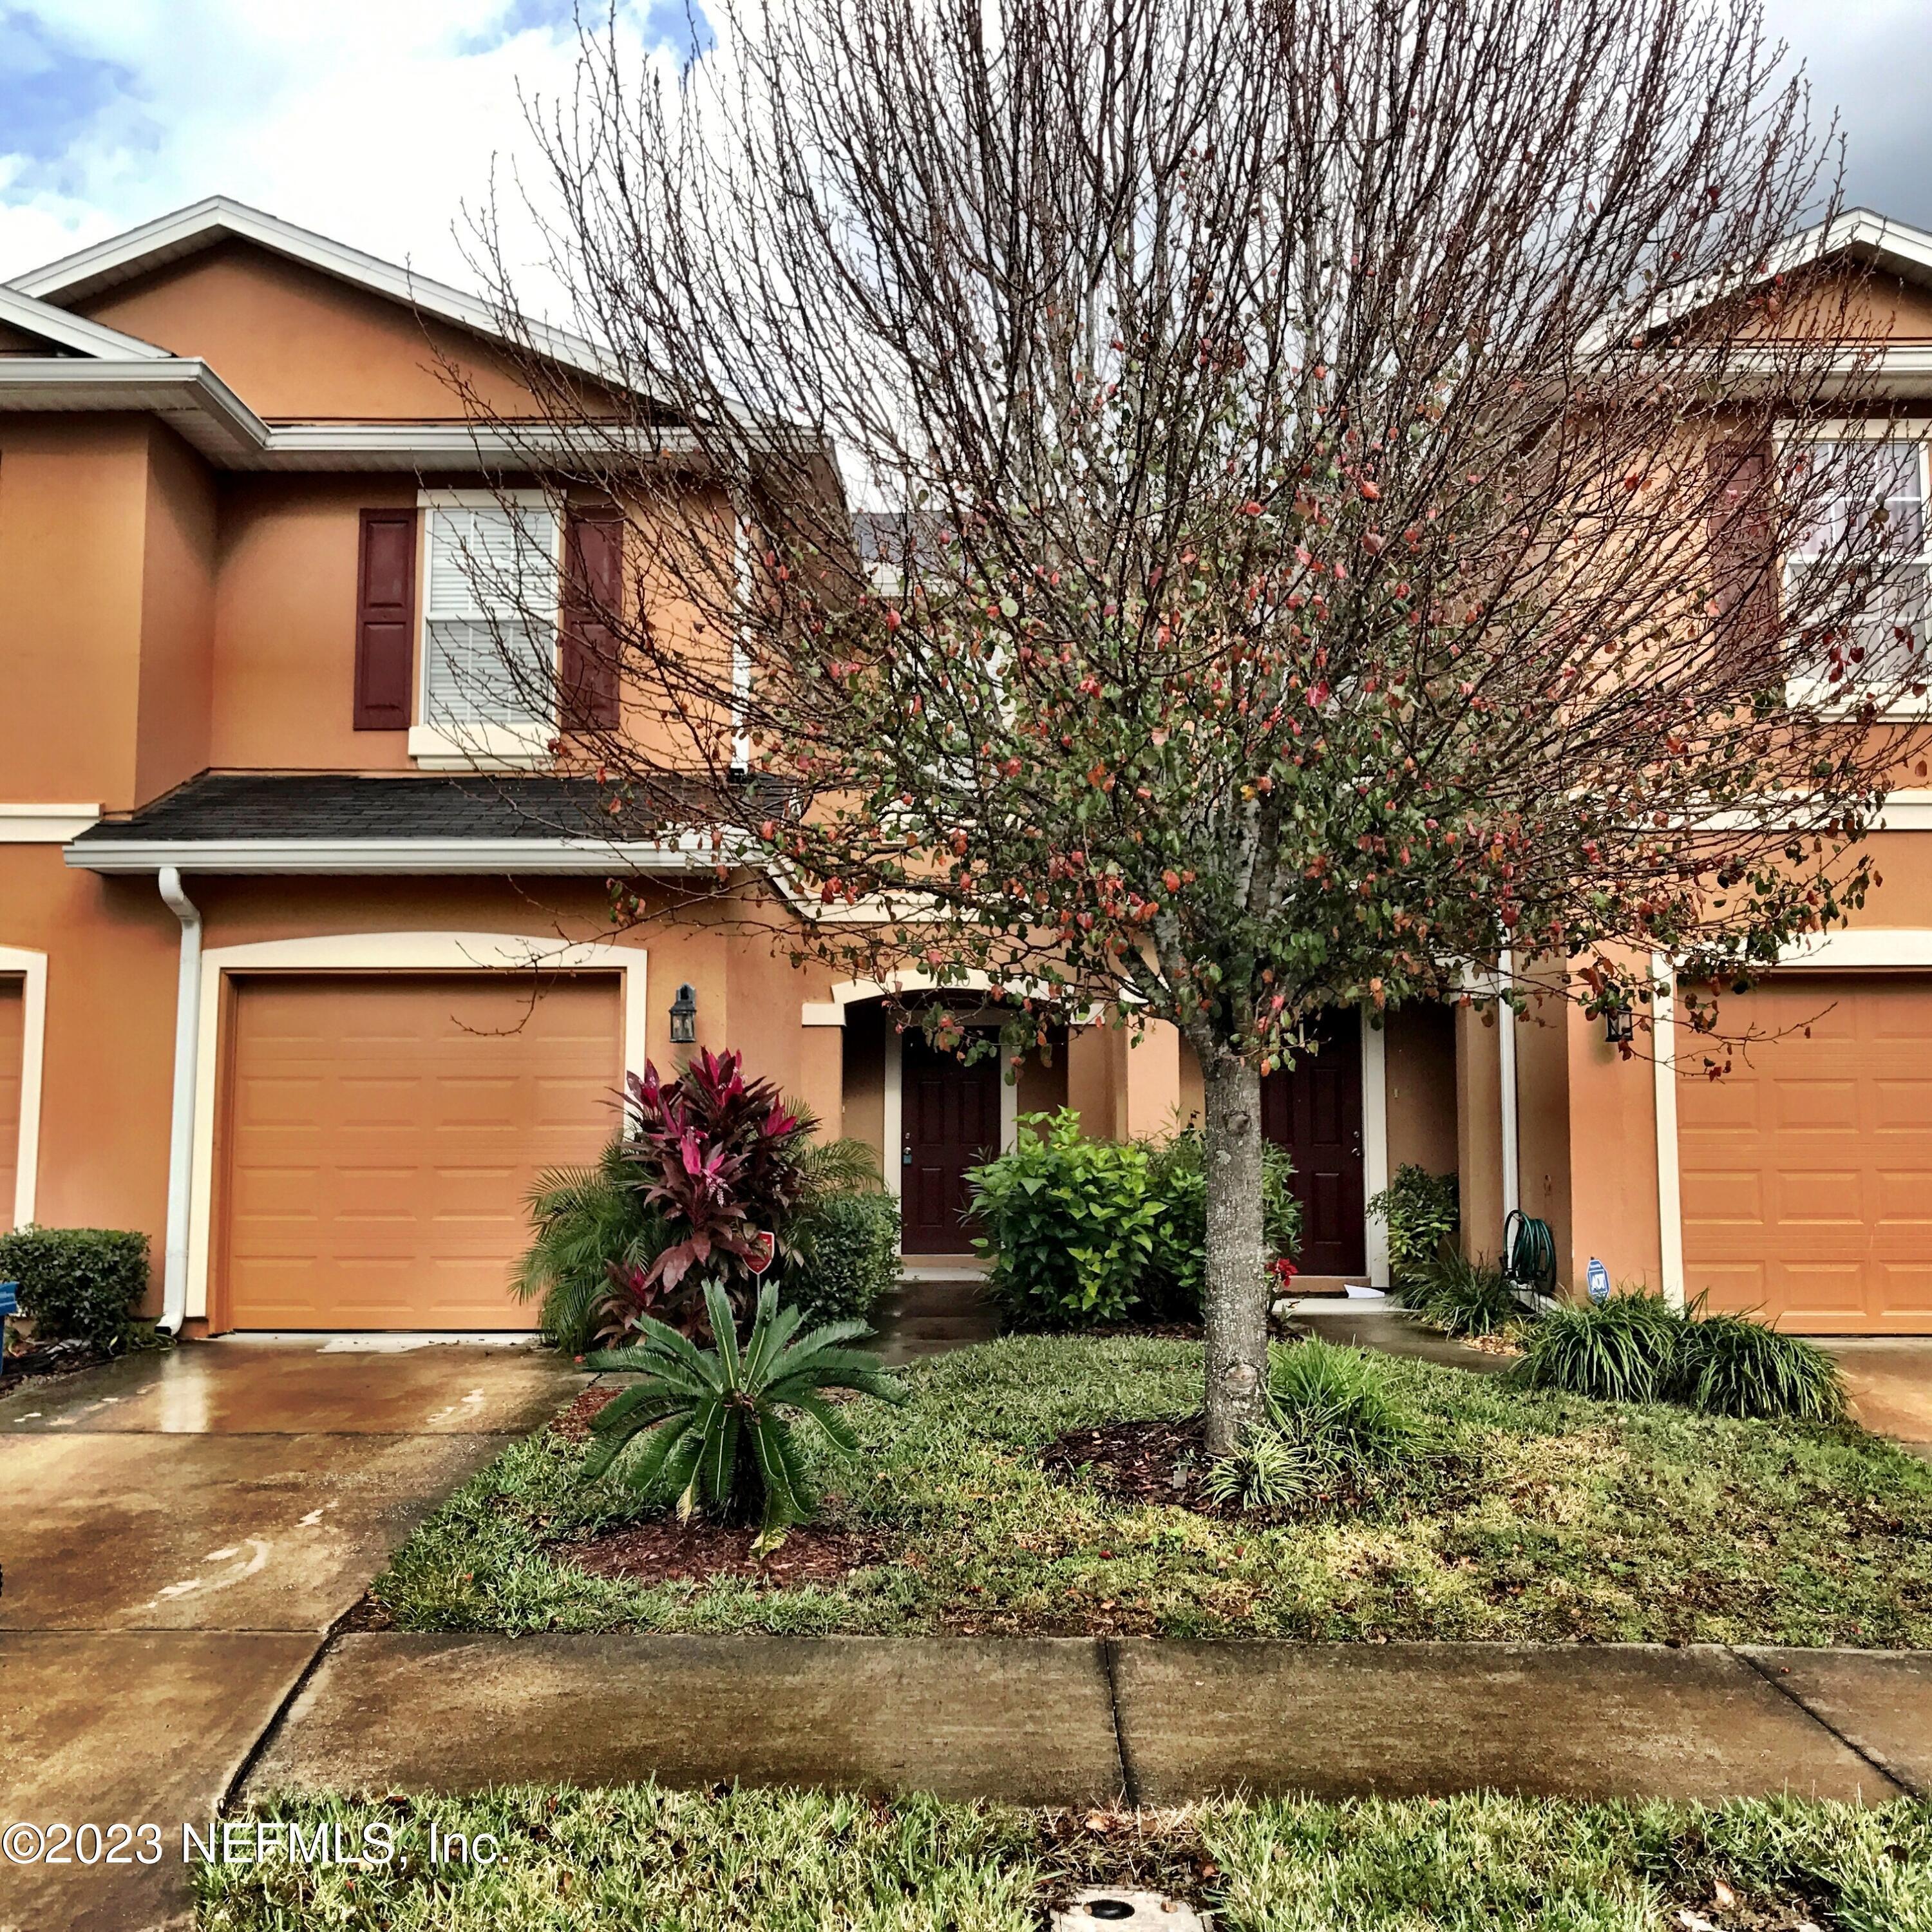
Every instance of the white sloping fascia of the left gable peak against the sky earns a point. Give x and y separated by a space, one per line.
206 223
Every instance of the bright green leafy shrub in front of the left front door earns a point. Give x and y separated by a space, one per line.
1069 1224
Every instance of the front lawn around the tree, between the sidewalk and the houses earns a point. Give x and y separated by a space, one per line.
1535 1518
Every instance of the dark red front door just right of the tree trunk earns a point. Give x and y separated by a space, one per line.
1315 1110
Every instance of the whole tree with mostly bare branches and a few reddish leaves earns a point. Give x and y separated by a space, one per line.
1363 515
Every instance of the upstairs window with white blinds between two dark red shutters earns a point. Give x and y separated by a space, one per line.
490 639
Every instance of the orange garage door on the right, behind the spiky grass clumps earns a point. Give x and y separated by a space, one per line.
1807 1174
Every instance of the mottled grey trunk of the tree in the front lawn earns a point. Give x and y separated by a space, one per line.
1236 1301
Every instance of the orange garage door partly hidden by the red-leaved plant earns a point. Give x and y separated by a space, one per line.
384 1133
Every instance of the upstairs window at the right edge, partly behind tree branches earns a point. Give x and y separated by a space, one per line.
1883 488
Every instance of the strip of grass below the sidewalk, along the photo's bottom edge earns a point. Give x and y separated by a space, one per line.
801 1863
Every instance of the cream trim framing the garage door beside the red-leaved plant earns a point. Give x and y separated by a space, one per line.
376 953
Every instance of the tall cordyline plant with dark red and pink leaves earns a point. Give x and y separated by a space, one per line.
718 1158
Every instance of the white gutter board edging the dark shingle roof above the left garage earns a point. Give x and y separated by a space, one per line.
358 857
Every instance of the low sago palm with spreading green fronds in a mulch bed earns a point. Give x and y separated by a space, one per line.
714 1419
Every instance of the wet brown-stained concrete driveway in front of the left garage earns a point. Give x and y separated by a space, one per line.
179 1533
